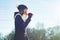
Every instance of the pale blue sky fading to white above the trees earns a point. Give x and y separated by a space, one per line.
46 12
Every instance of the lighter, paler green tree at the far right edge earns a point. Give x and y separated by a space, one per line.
54 33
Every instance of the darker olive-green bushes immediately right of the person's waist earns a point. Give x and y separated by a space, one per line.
35 34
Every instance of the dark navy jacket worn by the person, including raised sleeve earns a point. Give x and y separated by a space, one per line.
20 26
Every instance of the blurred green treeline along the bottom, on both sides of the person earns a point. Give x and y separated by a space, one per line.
37 34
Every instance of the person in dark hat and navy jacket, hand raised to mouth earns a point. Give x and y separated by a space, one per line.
22 19
